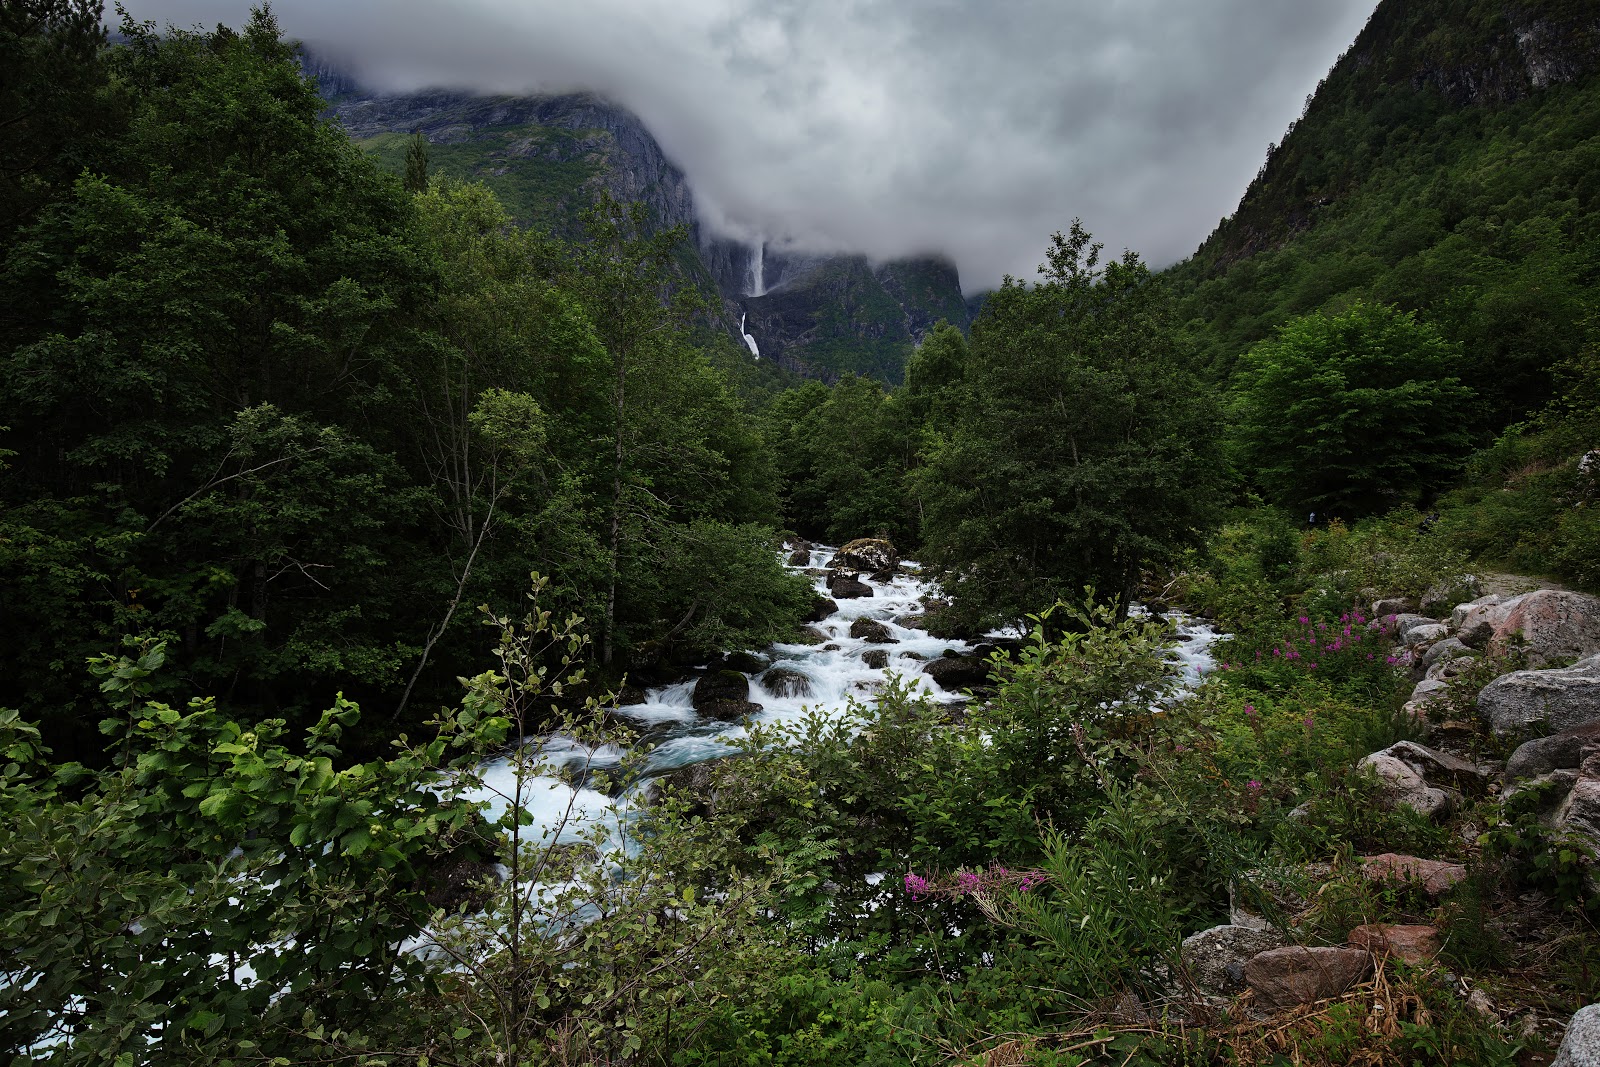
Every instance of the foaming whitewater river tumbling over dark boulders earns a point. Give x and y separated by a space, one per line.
836 673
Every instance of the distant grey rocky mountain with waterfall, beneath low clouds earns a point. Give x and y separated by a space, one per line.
550 156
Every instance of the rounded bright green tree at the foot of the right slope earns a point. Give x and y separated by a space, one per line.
1354 412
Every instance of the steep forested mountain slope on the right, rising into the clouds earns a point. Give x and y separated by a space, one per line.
1449 164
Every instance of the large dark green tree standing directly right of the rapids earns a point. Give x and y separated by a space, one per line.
1082 454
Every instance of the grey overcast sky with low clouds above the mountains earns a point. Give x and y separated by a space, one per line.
892 127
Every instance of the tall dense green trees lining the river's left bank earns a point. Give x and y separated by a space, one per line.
290 418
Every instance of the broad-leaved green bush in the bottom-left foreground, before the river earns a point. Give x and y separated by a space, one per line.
217 884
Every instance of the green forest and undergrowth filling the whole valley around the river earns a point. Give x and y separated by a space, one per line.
322 486
